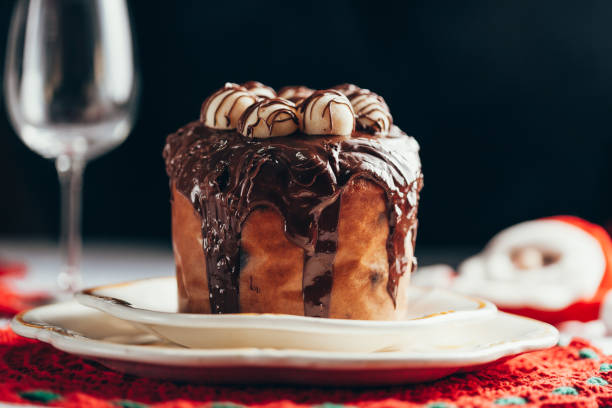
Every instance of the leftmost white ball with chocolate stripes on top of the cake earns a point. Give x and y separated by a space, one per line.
223 109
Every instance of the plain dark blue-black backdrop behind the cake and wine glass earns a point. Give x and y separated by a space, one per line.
511 102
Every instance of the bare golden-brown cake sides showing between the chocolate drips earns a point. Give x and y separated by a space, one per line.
272 266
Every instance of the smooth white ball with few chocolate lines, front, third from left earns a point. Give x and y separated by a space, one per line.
327 112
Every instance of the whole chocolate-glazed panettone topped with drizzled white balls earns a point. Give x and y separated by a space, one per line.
303 206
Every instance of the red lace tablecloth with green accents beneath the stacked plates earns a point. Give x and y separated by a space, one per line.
576 375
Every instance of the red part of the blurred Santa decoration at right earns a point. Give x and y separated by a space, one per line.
587 309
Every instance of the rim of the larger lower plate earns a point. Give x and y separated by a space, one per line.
75 343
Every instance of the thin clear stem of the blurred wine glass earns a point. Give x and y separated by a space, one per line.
70 171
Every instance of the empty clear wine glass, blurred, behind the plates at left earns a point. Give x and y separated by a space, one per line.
70 85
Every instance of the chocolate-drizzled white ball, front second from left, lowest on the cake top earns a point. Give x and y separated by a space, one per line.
269 118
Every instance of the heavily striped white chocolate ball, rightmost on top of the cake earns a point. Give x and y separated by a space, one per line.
372 112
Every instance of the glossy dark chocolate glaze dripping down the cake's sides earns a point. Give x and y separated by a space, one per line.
227 176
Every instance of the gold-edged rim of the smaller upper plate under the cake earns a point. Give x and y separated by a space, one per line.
124 310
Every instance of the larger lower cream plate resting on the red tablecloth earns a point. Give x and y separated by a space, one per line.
438 351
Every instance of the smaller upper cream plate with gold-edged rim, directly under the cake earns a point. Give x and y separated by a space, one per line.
152 303
